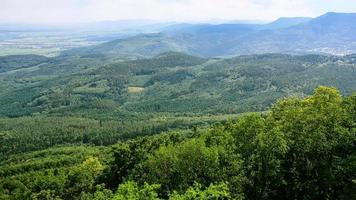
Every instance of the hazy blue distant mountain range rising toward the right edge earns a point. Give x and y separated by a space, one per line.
332 33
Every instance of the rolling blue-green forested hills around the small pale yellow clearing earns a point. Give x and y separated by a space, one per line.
168 83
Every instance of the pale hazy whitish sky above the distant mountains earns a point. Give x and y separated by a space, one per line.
74 11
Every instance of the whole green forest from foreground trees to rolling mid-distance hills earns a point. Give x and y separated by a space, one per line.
176 126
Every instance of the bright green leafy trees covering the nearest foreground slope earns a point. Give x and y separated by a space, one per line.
301 148
